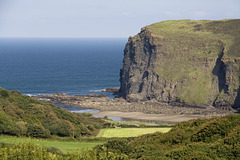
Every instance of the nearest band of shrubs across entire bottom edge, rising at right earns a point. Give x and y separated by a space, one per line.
217 138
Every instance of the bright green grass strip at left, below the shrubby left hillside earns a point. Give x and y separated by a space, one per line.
65 147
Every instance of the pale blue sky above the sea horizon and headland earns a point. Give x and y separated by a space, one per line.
102 18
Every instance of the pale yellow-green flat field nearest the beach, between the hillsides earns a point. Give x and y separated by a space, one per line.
129 132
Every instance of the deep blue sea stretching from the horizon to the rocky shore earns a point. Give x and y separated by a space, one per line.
68 65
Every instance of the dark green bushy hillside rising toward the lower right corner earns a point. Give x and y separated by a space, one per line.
217 138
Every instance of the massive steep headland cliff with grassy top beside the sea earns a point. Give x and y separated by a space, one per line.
184 62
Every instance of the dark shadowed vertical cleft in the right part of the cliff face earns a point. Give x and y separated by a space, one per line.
220 71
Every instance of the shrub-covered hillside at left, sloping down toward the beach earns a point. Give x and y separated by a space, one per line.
23 116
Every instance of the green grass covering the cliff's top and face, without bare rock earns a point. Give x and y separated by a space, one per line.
190 51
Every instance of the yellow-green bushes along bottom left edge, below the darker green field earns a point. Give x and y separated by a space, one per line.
29 151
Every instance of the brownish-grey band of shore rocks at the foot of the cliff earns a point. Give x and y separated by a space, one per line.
104 104
